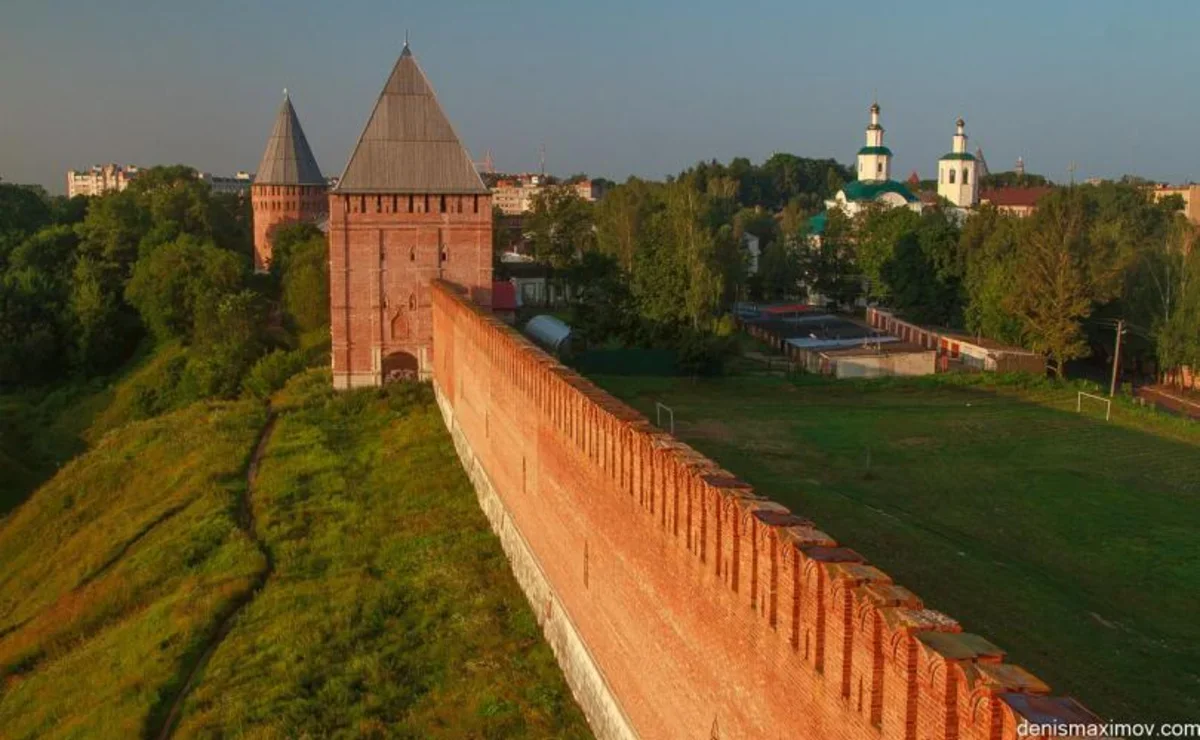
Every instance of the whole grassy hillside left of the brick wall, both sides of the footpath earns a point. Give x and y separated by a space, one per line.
353 588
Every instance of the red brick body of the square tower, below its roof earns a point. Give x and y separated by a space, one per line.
385 250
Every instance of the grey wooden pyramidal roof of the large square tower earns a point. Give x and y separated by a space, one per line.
409 145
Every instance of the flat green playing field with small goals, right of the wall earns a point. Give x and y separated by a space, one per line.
1071 543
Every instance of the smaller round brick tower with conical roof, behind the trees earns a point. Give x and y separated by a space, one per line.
289 185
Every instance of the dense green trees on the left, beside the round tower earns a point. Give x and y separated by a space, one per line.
87 281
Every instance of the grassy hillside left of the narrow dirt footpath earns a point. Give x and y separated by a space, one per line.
119 569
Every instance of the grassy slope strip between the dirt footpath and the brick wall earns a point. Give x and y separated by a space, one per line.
391 609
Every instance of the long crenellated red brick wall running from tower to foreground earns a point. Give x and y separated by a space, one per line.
705 610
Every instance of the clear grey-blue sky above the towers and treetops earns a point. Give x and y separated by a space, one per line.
614 88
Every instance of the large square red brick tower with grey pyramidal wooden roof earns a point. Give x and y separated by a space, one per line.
410 208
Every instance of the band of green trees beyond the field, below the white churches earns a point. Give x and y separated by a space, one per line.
655 261
